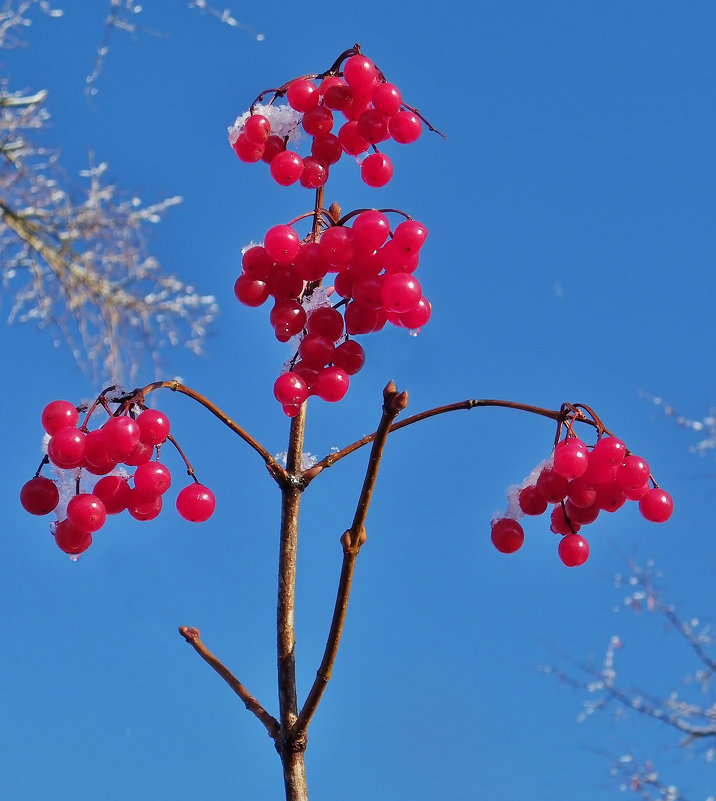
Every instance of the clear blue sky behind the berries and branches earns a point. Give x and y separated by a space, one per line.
571 257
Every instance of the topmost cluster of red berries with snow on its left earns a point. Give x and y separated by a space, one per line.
374 112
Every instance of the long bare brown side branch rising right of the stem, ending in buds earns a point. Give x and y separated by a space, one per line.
352 540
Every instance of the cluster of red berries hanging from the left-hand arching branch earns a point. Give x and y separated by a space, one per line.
122 440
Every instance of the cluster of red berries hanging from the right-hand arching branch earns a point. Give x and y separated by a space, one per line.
579 483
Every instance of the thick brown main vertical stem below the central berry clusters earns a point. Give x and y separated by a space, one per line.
290 749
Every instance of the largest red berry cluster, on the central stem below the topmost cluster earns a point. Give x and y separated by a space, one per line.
374 277
